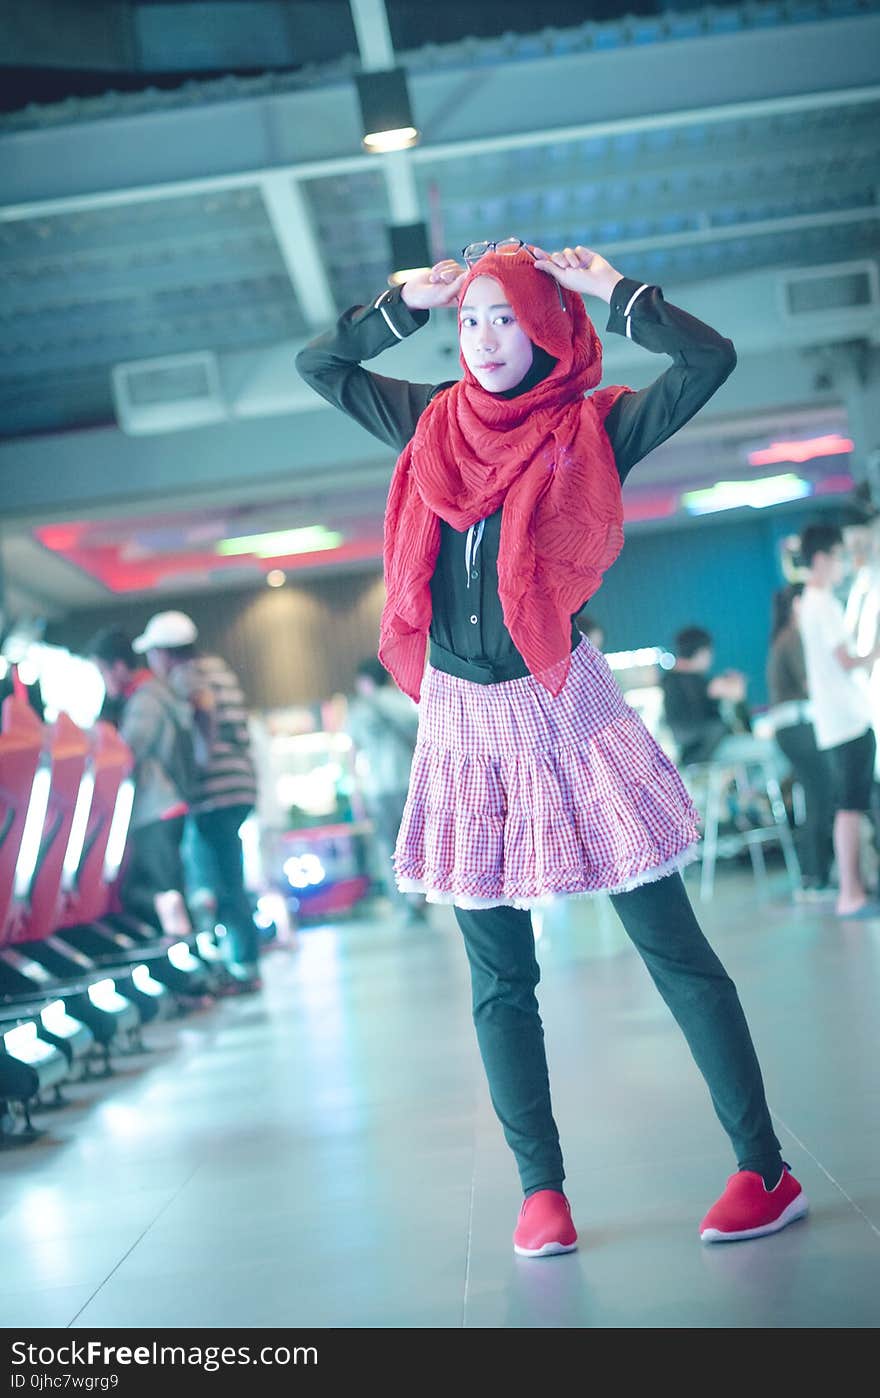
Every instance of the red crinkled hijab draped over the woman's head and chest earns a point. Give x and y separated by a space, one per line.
544 455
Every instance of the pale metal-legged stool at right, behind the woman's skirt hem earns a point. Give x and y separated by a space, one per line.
709 785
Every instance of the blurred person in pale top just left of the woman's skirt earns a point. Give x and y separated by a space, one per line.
384 723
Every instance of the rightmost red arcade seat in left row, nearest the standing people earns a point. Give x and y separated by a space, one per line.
92 869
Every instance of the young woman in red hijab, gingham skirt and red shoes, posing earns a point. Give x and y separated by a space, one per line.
532 777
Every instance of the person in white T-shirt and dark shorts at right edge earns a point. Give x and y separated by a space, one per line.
837 682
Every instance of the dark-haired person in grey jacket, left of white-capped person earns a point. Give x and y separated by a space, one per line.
157 729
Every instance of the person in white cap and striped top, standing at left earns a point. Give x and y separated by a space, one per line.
226 788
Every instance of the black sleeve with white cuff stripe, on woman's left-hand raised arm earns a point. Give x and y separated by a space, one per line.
332 366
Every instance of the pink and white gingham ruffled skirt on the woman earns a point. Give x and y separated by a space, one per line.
517 796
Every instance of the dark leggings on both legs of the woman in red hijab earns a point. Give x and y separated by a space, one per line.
660 921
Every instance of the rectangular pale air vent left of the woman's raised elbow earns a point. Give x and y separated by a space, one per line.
169 395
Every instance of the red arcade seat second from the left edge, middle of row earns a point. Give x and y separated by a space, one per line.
68 750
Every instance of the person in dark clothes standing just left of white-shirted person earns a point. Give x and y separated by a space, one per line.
793 721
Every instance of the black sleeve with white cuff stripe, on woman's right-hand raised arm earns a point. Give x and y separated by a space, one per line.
702 363
